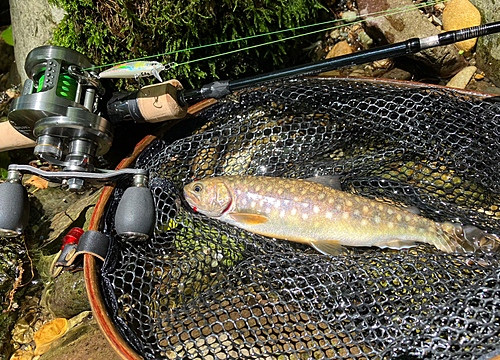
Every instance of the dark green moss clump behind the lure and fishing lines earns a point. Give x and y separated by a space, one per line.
108 32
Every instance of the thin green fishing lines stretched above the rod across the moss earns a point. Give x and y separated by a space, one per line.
382 13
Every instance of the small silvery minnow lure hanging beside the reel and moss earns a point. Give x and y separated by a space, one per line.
135 69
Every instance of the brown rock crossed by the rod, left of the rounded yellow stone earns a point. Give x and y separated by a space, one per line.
443 61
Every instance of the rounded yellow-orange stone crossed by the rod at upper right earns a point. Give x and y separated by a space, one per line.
460 14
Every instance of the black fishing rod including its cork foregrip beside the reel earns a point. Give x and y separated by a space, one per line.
143 105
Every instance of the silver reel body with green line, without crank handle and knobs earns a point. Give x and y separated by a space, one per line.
58 108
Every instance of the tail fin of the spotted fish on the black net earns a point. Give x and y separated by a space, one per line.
456 238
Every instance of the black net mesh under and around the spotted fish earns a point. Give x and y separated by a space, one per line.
202 289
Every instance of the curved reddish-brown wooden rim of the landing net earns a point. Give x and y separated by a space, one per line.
91 266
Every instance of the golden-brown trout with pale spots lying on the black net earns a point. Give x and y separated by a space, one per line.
321 216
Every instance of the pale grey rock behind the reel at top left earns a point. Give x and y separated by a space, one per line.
33 23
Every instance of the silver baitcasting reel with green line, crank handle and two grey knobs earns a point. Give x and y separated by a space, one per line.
59 108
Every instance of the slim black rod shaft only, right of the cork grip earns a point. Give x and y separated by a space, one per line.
219 89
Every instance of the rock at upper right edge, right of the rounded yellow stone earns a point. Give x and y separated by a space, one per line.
488 47
